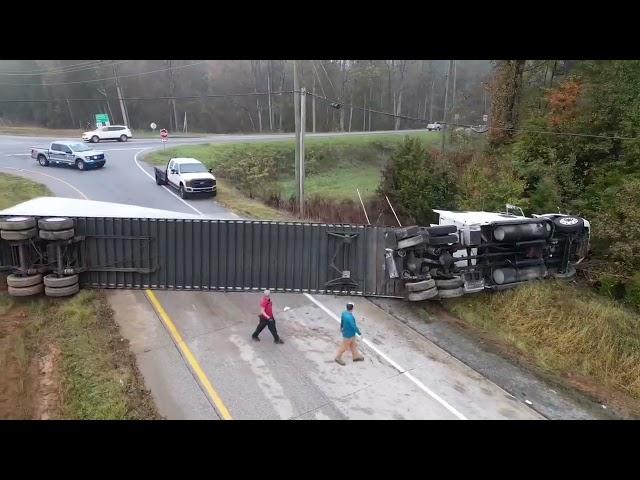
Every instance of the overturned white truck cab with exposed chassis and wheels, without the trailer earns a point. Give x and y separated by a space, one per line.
468 252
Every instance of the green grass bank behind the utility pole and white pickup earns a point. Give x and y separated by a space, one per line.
335 166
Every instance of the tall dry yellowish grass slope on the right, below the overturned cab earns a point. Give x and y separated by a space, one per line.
566 331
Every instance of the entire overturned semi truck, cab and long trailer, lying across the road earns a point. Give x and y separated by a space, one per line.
57 246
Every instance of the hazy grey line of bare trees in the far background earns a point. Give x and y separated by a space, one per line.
75 90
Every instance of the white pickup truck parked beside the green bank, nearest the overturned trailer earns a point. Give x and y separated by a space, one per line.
187 176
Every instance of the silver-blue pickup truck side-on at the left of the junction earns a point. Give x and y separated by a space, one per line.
71 153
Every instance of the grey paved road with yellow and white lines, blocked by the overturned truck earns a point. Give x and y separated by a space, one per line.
196 354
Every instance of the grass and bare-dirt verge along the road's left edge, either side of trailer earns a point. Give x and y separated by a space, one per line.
64 358
